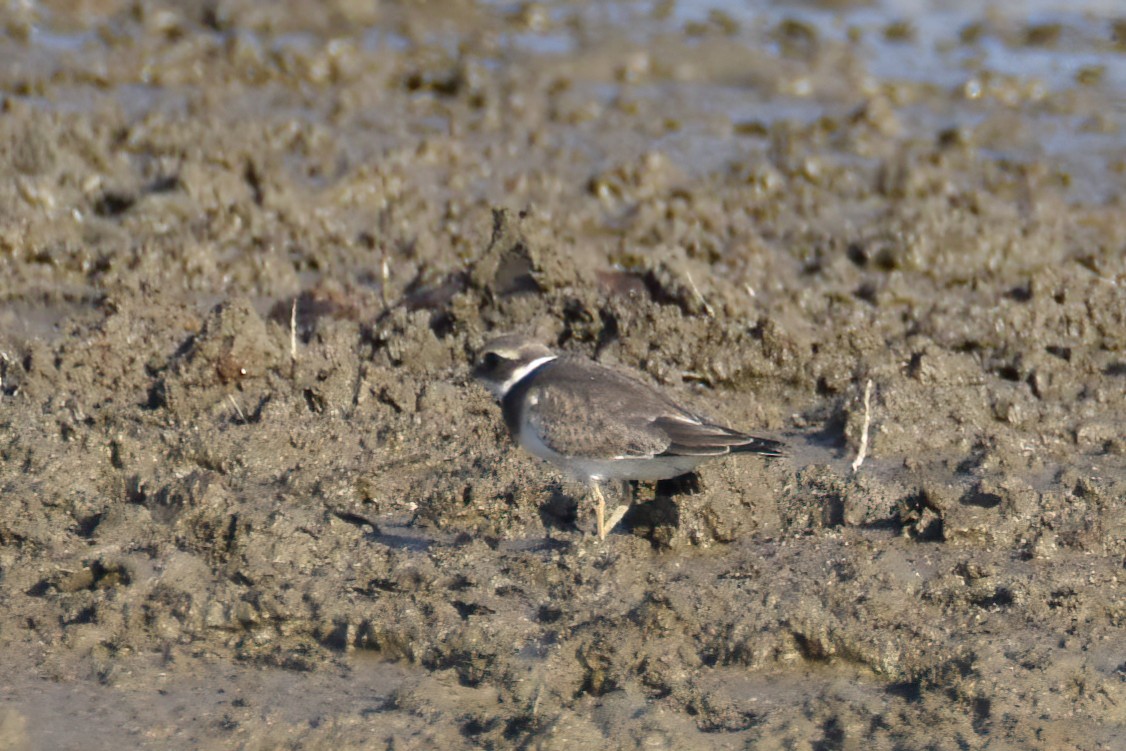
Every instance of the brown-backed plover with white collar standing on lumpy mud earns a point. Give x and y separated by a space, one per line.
600 424
